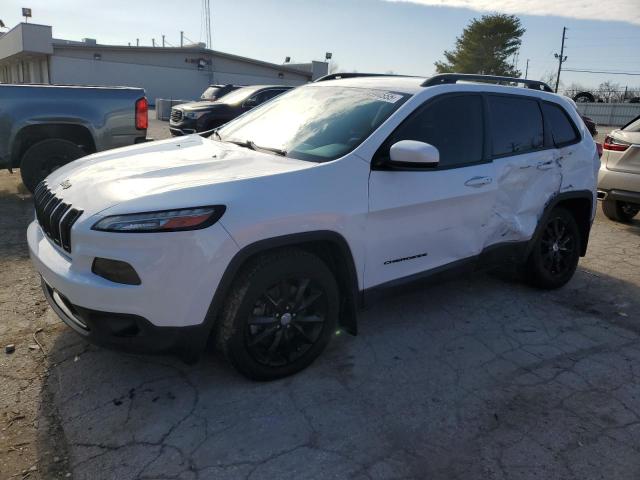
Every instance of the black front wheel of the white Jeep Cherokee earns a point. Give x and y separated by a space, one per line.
280 315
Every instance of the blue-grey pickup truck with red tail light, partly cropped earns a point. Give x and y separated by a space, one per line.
43 127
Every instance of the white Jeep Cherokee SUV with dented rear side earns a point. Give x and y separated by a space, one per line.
268 235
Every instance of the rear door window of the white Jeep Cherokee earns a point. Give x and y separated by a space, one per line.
516 125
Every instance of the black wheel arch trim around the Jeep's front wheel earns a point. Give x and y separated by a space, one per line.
347 283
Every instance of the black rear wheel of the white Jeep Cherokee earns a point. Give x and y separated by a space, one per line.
554 257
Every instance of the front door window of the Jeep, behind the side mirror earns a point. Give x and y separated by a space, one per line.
454 125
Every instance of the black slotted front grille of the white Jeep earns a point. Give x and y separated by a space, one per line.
55 216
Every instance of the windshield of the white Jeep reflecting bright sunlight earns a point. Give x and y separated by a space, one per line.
314 123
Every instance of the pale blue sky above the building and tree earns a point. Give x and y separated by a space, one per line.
400 36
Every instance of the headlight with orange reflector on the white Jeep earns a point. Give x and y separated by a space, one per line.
162 221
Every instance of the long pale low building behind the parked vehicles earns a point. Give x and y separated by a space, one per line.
30 54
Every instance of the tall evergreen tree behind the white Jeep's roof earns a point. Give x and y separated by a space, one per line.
485 47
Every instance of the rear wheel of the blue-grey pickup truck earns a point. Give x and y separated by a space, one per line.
44 157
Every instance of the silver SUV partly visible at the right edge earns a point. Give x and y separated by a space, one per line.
619 177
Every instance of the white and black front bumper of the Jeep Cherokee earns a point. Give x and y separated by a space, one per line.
179 271
